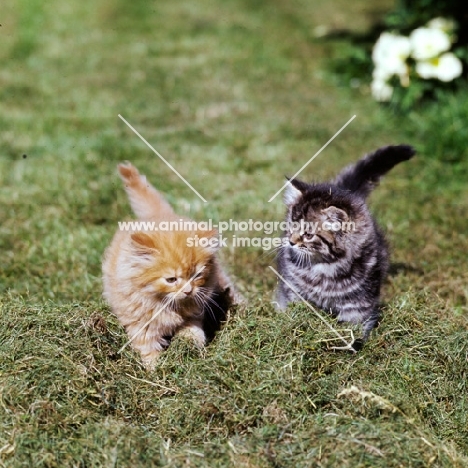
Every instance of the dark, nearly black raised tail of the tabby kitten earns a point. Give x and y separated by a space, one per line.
362 177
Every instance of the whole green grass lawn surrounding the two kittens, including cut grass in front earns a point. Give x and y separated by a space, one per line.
235 95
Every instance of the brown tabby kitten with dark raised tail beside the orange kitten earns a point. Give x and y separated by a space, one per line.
339 270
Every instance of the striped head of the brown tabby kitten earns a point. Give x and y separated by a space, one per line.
317 228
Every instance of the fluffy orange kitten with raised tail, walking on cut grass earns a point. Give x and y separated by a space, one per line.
156 277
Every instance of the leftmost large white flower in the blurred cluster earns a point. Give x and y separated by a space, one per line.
389 54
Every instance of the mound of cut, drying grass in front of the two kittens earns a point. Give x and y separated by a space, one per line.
266 391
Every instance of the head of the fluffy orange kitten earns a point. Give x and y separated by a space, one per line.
170 269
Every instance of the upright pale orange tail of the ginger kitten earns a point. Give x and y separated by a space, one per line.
145 200
